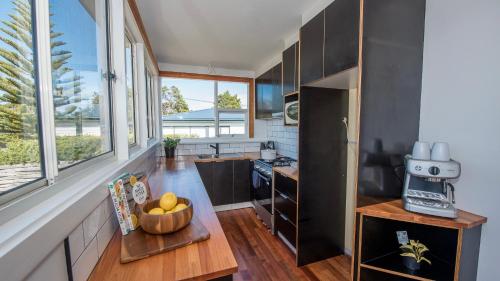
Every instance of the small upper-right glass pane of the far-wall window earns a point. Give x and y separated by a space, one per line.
232 95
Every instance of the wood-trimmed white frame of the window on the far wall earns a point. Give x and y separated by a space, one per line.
249 111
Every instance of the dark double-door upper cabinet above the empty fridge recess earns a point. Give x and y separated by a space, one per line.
329 45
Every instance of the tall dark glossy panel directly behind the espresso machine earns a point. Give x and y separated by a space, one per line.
390 94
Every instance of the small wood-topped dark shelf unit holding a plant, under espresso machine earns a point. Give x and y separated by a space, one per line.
453 244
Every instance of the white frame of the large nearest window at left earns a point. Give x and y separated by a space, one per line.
51 173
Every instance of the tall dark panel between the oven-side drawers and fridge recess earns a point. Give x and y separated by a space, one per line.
322 170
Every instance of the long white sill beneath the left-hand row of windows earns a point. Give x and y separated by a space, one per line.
36 223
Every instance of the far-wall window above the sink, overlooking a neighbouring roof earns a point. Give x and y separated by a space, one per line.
197 108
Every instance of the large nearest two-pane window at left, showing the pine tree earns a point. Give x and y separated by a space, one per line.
42 135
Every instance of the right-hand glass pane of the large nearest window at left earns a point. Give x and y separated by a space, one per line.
81 98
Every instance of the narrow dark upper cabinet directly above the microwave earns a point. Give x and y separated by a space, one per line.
291 69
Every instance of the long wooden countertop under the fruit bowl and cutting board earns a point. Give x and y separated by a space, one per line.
209 259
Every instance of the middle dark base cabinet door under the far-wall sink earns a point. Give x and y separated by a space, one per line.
223 183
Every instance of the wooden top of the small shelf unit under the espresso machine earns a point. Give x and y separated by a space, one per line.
394 210
